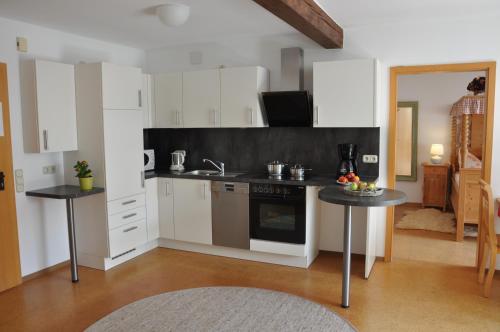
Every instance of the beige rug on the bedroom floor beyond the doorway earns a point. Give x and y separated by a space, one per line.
433 220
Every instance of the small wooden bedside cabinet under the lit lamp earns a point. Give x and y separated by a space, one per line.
436 185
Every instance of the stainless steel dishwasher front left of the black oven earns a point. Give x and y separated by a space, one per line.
230 214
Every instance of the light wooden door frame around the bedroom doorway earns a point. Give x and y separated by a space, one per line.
395 72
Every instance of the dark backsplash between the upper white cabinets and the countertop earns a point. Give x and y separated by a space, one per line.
250 149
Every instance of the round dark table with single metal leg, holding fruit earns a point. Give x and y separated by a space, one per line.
336 195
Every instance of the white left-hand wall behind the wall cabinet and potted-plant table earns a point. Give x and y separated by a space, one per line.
42 222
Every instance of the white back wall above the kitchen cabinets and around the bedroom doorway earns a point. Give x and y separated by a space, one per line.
395 44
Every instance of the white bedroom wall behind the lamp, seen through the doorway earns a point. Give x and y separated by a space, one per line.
435 94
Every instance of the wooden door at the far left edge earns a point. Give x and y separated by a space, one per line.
10 269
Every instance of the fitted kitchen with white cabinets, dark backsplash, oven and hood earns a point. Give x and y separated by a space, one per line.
176 201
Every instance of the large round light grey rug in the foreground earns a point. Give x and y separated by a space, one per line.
222 309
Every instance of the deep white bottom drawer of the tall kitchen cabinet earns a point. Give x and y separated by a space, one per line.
127 237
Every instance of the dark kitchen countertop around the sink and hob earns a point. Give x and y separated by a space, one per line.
313 180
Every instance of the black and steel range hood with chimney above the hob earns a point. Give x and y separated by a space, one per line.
291 106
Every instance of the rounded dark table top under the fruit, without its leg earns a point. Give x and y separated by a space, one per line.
336 195
